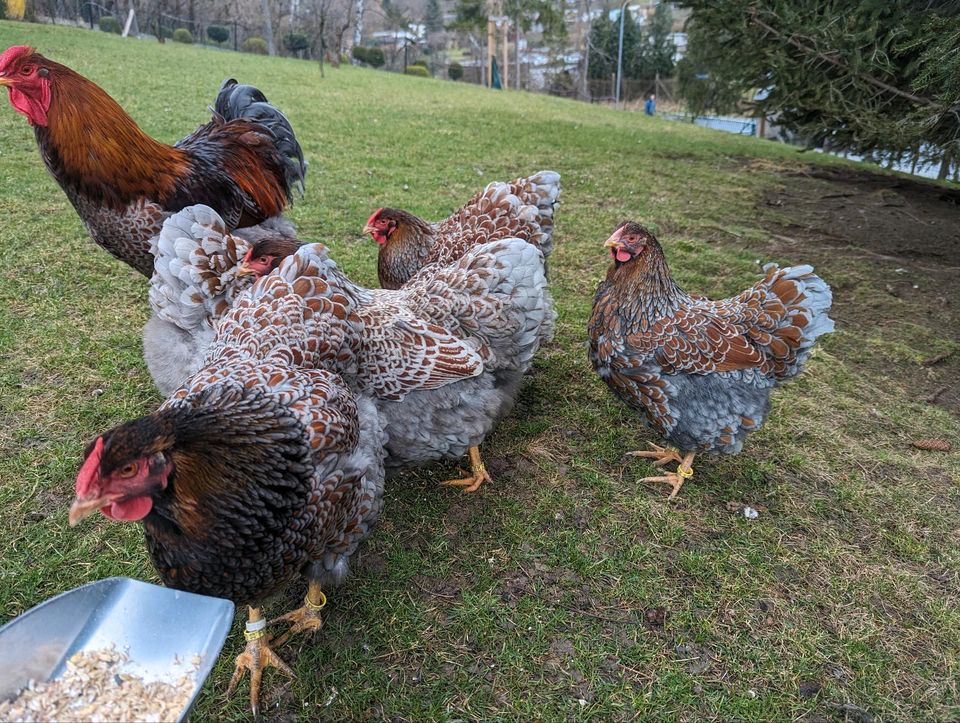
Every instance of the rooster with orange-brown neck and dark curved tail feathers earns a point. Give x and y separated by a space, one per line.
245 163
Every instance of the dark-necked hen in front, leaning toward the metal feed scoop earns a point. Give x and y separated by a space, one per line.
263 468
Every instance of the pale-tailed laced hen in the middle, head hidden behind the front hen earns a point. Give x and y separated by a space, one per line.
471 329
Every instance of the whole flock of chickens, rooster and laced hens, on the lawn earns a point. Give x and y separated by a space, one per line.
292 391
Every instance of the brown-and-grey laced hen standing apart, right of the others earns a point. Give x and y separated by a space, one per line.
699 371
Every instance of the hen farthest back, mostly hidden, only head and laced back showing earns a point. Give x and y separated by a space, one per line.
520 209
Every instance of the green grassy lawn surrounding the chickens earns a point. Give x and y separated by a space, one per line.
566 589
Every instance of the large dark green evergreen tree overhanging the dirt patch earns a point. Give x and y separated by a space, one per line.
868 76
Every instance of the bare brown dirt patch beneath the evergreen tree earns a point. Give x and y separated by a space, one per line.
890 247
